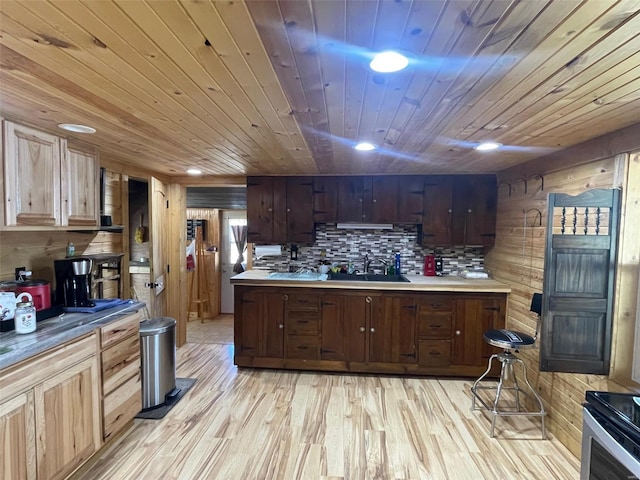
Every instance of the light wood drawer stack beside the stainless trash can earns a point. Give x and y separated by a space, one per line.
121 375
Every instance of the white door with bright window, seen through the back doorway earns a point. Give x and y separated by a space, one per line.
229 255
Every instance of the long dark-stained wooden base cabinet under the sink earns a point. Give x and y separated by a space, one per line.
368 331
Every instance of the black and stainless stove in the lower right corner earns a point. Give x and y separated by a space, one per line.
610 436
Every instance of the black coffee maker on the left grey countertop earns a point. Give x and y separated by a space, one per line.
73 282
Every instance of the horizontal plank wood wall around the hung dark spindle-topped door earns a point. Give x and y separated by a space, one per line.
518 260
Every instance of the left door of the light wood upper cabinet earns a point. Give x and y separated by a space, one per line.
31 177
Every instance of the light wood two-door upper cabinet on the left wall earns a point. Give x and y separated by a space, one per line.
45 183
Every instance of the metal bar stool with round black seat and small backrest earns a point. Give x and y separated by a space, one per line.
510 340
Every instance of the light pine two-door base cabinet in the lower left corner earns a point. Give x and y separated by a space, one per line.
49 410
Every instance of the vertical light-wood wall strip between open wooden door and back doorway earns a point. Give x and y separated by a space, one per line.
176 258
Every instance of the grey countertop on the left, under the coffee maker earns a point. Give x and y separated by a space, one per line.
55 331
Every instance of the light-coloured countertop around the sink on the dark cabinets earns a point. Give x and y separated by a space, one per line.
450 283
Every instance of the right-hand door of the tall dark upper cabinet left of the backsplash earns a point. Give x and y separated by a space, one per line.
300 226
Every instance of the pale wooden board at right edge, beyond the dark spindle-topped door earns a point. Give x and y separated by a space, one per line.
628 272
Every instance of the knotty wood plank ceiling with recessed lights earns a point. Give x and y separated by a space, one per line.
283 87
